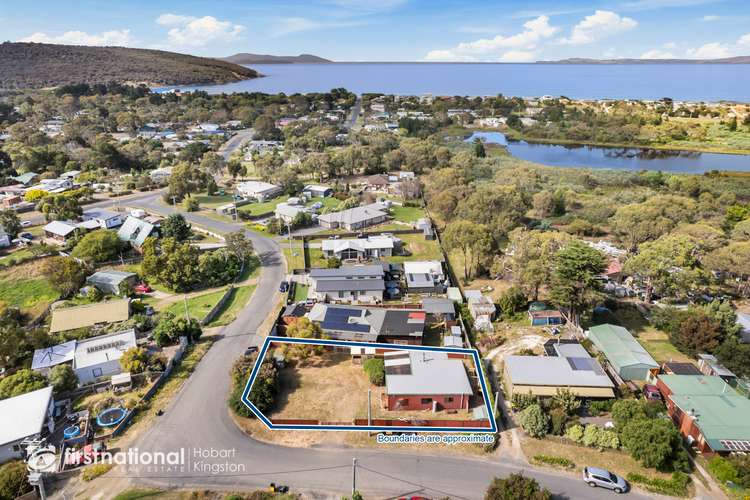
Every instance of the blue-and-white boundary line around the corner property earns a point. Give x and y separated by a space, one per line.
367 428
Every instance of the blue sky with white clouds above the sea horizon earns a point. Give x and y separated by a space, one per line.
394 30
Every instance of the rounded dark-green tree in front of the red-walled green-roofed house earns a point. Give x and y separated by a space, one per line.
655 443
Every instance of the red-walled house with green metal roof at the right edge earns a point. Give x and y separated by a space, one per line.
711 415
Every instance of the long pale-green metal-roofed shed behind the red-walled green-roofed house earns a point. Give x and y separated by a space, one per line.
628 358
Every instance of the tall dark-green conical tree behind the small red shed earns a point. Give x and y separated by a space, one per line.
575 284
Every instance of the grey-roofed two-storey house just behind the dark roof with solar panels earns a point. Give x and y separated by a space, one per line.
347 284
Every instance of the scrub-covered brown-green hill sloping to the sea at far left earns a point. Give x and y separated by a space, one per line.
37 65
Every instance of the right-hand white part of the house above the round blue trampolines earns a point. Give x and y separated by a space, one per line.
99 357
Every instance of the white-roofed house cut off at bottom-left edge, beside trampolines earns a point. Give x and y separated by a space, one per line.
24 417
